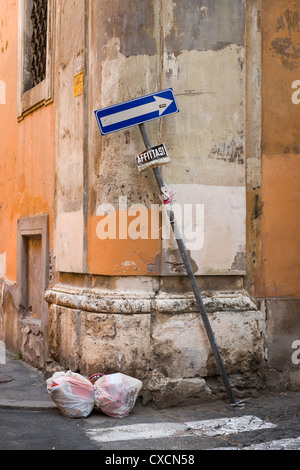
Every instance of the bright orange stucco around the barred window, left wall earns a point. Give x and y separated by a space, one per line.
26 149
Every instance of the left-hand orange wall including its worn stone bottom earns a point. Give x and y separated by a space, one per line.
26 190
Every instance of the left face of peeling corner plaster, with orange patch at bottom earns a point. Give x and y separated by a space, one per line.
124 58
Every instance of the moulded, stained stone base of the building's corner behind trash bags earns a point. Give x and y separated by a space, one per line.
158 338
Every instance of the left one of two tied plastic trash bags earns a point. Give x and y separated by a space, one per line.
72 393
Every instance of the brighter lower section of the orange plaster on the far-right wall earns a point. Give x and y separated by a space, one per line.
281 225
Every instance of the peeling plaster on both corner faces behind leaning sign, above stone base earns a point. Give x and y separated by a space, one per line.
152 48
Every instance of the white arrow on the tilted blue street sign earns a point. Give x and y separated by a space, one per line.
159 104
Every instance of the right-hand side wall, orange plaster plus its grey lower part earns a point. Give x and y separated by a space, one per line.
280 274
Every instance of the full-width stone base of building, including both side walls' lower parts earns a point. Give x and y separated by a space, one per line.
157 335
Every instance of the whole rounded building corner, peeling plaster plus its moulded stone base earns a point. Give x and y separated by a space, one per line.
124 304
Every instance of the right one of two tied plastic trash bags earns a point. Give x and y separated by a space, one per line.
116 394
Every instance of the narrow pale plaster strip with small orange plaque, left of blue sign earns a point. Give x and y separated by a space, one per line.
70 125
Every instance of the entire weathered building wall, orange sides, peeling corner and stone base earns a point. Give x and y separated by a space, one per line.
125 304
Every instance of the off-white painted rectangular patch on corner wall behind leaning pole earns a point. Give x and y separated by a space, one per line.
219 232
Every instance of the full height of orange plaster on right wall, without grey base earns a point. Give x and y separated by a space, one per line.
280 149
